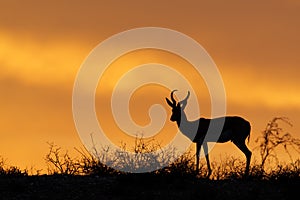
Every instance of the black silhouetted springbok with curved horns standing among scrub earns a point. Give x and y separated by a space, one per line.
235 129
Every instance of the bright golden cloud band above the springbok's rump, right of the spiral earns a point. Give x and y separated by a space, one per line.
246 86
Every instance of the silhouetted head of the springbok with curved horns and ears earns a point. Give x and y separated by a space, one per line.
177 108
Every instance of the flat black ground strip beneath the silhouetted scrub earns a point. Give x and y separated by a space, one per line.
142 186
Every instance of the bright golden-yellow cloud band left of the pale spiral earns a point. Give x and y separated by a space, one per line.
32 61
